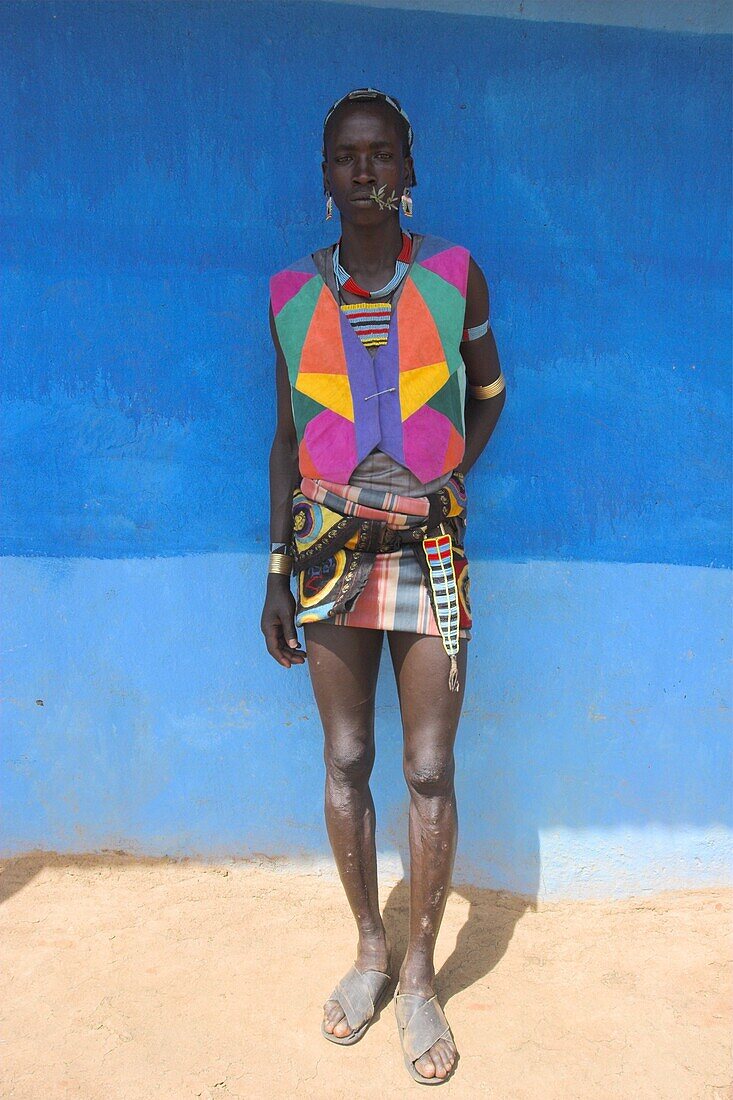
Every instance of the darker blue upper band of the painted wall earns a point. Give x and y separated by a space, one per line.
159 161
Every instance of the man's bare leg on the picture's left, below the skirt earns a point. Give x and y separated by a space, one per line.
344 664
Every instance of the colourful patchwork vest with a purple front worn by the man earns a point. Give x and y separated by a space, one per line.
408 400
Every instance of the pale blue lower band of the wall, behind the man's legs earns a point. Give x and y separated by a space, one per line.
141 712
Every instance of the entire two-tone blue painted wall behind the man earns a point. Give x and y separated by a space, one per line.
159 161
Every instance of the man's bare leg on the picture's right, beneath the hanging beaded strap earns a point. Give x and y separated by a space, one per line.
430 718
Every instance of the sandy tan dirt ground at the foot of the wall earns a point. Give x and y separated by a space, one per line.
133 980
